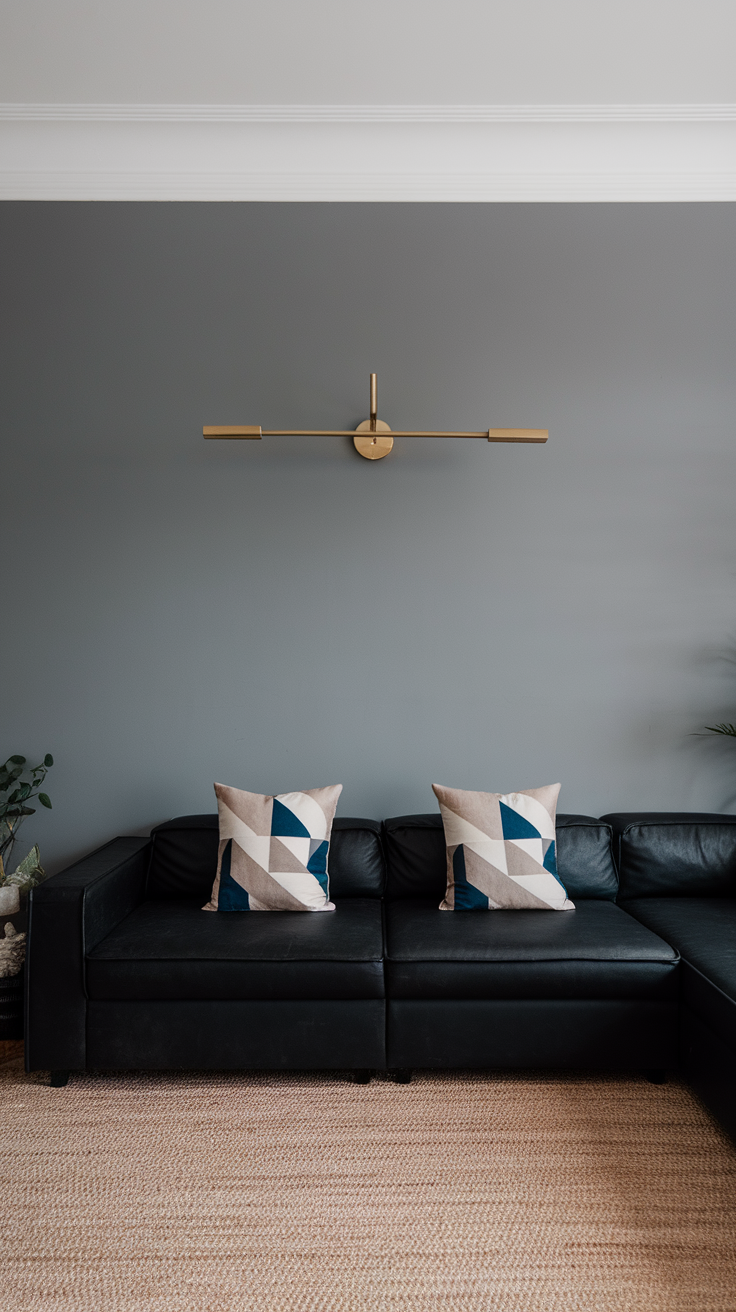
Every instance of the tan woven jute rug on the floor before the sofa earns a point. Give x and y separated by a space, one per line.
229 1192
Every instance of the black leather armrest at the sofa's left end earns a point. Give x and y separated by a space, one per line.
68 916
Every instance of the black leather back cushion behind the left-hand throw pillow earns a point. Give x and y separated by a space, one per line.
184 859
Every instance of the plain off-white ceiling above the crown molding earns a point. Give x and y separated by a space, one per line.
392 52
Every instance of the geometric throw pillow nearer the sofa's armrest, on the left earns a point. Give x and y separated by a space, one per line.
274 851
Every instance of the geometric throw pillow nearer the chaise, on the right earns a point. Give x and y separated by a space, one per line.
502 851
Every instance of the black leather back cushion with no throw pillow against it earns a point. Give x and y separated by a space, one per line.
675 855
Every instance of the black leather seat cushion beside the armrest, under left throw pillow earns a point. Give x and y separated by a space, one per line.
173 951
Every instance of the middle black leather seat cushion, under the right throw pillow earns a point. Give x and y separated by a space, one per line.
595 952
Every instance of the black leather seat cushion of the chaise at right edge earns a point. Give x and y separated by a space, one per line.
704 931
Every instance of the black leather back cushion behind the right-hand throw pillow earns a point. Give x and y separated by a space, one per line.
417 863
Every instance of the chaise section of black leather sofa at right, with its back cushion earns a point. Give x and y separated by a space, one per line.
679 878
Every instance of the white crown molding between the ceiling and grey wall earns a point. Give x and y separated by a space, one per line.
369 153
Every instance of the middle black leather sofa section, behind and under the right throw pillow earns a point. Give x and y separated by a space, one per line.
523 989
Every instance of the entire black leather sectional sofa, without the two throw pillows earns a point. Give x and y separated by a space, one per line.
125 970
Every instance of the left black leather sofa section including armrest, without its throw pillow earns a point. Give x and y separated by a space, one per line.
154 982
